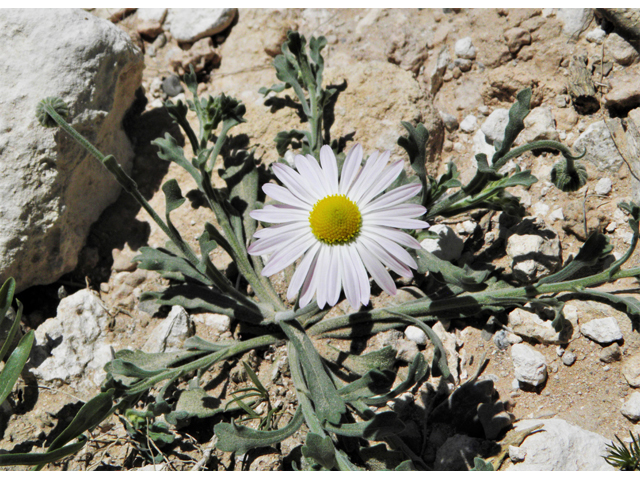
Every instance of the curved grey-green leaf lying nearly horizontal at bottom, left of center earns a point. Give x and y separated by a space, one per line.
241 439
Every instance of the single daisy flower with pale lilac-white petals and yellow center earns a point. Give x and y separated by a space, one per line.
344 227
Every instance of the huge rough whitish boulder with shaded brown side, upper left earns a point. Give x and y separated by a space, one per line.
51 189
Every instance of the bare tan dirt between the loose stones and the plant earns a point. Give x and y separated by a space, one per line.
588 393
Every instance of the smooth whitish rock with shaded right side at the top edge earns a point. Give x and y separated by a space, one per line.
191 24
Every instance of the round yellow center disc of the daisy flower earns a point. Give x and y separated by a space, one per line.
335 220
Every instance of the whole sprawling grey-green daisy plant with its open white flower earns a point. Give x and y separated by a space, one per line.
344 219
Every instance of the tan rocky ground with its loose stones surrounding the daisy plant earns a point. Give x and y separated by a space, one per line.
457 71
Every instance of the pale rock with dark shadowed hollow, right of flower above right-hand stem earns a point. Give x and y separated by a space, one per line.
533 256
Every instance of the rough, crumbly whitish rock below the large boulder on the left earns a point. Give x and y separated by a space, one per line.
78 333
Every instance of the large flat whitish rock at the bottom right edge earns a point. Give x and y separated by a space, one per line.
562 446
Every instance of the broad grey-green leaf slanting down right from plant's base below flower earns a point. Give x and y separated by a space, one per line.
327 402
